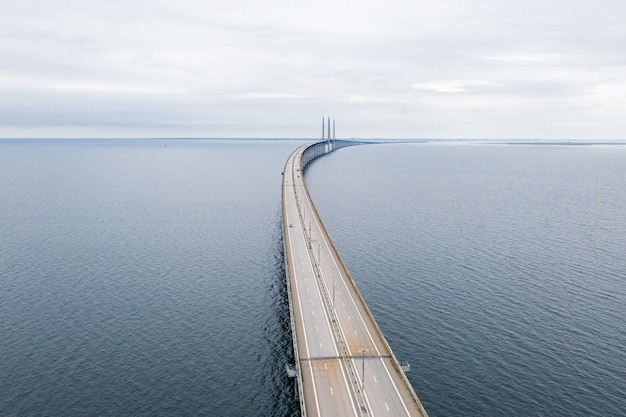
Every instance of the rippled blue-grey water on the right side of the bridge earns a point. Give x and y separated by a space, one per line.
497 271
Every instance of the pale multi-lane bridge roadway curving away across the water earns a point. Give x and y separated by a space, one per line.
344 364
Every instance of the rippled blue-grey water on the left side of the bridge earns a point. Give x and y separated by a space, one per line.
143 278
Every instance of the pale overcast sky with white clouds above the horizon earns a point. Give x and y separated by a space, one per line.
272 68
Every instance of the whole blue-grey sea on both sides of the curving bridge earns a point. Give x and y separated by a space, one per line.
146 277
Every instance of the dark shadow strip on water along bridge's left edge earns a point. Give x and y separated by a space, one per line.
277 335
